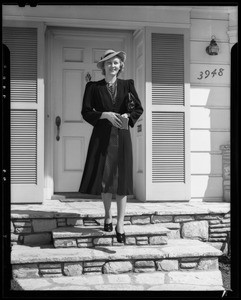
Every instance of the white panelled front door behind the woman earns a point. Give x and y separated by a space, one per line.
74 57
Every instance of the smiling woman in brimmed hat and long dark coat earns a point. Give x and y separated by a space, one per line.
108 166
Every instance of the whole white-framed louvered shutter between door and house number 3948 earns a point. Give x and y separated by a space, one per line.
167 115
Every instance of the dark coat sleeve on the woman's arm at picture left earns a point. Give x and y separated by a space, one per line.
88 111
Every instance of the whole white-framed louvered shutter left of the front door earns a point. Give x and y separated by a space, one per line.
26 115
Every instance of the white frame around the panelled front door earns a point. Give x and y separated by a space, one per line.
51 33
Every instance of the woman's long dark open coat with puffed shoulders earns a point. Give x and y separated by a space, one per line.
97 100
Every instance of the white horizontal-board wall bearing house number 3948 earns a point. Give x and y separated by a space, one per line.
210 104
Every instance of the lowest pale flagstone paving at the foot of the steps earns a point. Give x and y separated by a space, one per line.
158 281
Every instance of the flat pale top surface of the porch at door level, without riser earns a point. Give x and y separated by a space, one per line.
94 208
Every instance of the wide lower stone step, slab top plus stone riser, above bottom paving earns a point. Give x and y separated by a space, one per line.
178 256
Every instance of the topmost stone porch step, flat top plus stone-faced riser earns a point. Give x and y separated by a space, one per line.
32 224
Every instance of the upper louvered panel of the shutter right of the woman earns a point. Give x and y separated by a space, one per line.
167 69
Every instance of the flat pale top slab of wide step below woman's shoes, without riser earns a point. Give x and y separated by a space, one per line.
174 249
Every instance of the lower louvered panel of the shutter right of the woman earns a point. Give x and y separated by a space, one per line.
168 149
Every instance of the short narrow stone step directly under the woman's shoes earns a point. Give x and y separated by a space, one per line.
92 236
